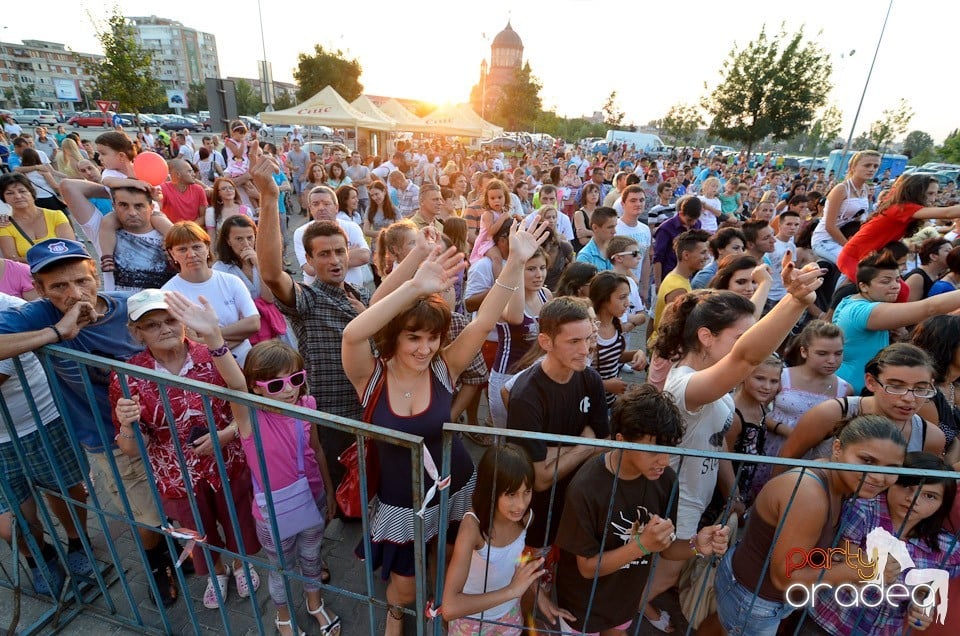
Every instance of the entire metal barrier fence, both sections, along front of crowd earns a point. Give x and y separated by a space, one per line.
114 591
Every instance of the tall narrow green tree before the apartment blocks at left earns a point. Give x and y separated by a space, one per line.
126 72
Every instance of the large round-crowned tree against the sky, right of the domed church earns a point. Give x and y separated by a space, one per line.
772 87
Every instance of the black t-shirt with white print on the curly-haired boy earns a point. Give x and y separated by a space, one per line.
588 521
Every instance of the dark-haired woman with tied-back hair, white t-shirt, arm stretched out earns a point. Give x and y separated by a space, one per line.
717 344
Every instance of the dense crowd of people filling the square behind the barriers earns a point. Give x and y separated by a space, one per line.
770 313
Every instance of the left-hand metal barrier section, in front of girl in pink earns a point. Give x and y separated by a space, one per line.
111 592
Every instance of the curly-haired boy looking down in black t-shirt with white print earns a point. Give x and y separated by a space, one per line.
614 542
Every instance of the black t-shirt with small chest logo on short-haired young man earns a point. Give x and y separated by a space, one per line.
539 404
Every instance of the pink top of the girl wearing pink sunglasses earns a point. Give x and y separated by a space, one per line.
278 437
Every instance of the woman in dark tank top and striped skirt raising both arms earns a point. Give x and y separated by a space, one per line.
409 387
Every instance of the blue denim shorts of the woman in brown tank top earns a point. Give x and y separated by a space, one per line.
733 601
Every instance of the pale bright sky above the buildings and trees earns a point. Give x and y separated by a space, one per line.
652 54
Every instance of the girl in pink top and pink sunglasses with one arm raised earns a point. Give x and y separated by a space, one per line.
274 370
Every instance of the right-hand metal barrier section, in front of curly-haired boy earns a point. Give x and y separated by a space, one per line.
701 591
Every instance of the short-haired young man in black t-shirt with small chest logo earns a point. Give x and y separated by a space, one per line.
561 396
